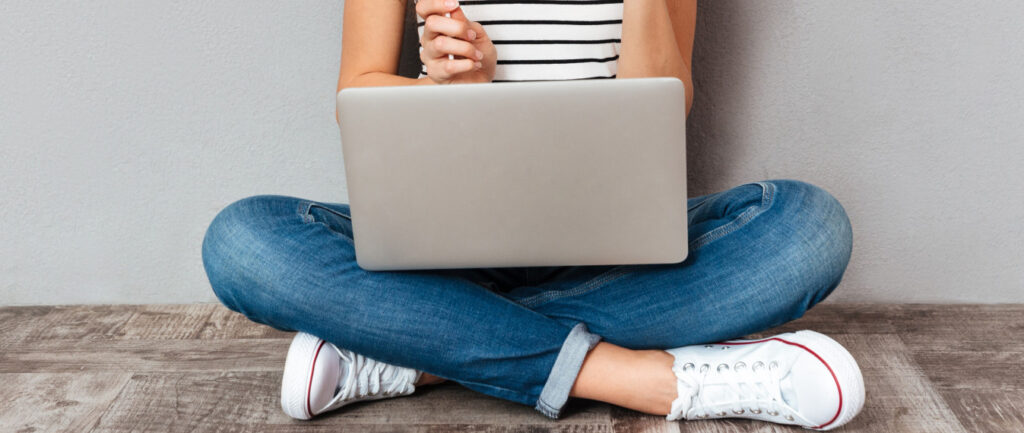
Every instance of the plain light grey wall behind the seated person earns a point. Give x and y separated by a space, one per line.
125 126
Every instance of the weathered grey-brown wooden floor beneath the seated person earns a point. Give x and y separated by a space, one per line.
201 368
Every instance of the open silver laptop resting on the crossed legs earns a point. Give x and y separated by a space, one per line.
517 175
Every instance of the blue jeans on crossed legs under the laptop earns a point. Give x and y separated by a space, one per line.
760 255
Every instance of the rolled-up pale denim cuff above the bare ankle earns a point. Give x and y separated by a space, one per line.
564 374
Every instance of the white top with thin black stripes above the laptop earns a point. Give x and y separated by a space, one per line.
550 39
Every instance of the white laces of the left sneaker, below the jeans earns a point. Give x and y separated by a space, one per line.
370 376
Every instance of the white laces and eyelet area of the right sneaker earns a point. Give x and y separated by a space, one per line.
756 389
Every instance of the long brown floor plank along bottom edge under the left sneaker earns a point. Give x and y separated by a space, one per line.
240 401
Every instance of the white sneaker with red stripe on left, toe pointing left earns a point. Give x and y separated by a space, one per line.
321 377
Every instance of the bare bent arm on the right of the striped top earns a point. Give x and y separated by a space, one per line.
650 47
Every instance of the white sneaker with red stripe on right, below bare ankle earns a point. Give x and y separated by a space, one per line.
804 379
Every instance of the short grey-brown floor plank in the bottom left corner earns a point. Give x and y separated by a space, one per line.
68 402
